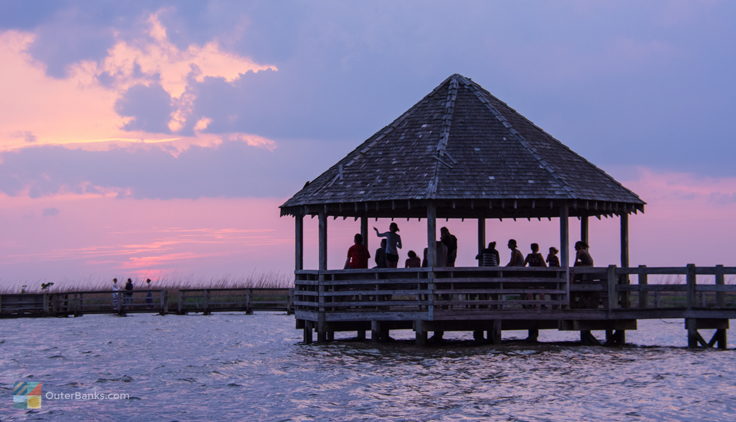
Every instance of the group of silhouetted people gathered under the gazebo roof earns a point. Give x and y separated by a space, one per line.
387 255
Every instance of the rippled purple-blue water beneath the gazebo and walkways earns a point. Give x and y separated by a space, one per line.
238 367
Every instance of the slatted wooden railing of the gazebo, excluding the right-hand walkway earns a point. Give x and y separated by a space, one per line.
427 293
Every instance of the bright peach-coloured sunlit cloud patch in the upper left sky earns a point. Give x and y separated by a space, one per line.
78 111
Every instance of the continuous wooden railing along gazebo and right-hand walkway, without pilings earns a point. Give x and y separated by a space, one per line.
444 293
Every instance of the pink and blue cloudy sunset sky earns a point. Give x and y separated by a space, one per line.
158 138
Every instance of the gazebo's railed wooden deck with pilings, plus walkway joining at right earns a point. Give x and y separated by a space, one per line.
487 301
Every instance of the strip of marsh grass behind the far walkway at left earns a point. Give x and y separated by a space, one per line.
253 280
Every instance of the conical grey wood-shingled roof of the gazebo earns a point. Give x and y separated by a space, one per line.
469 154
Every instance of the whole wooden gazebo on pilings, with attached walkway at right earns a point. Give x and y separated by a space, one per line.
461 153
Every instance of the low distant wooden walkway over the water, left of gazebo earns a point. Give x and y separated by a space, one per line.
180 301
